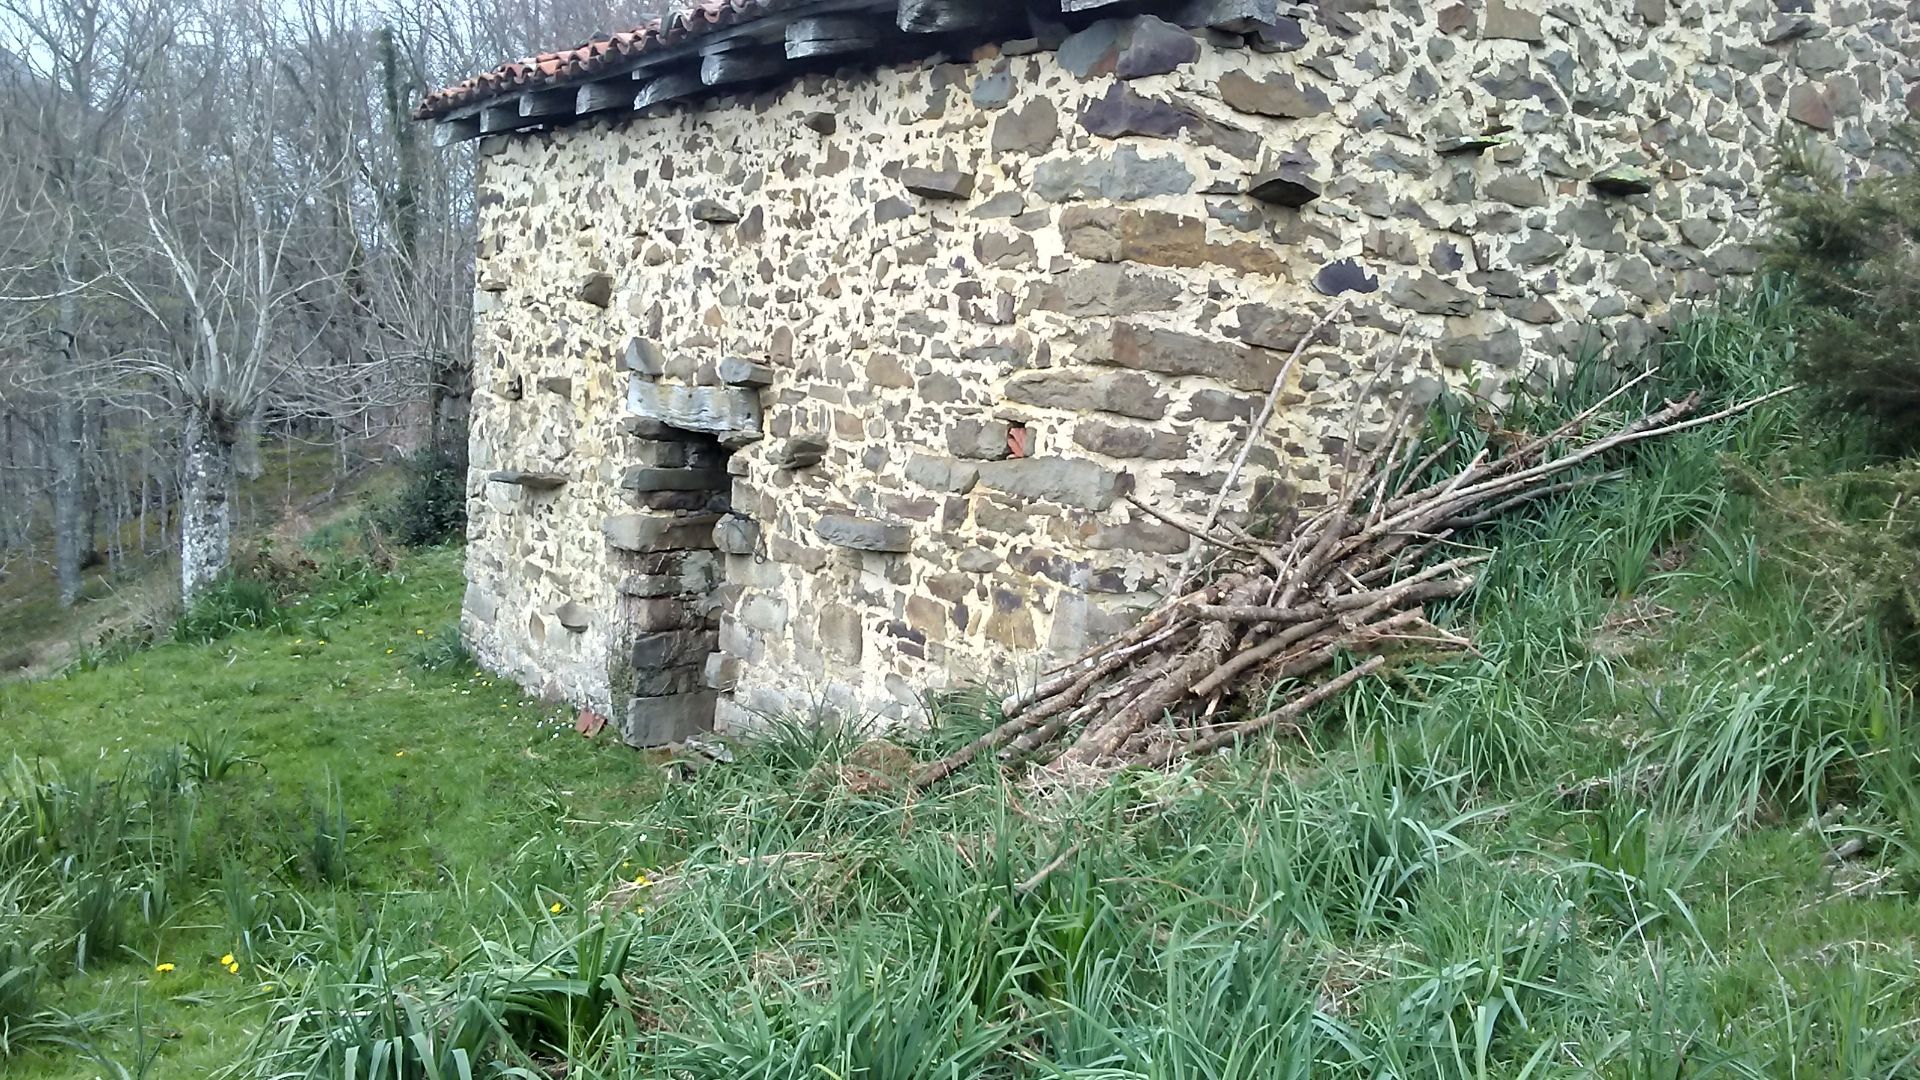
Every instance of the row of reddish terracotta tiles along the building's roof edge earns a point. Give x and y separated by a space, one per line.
598 55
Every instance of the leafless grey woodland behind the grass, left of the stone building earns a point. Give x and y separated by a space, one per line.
216 214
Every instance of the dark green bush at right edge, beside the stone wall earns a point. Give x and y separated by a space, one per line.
1854 251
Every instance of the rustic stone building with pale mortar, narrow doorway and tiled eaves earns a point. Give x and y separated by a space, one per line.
830 351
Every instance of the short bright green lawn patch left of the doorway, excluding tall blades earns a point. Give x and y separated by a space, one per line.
439 775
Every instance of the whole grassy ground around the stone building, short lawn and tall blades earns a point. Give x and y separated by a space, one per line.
1662 825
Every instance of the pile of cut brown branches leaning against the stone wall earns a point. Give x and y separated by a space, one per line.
1280 614
